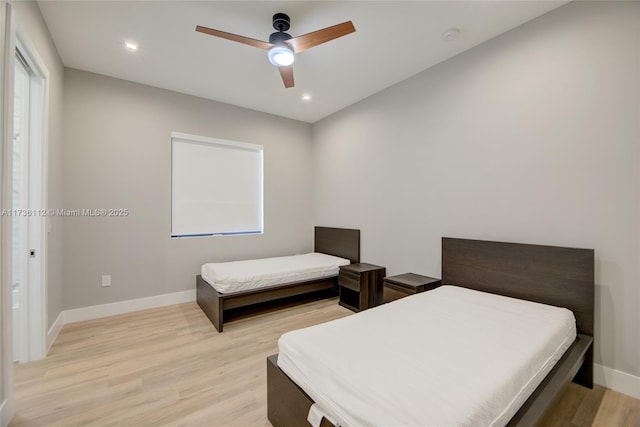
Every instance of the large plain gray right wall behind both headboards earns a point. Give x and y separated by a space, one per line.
530 137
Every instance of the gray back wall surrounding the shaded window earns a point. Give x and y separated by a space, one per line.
117 155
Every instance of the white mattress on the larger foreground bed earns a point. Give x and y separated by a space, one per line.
447 357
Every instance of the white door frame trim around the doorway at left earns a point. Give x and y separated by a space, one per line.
9 36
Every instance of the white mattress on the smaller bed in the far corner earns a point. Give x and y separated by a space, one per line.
228 277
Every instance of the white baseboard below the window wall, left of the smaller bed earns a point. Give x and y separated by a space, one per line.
122 307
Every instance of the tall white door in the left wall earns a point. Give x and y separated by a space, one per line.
28 221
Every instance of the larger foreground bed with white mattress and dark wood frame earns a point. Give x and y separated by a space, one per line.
428 359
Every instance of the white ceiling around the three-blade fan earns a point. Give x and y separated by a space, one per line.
393 40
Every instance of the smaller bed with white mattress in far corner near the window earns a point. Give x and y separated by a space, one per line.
247 283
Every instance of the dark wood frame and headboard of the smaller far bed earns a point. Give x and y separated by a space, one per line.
342 242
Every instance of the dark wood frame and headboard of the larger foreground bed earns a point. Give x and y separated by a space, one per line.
551 275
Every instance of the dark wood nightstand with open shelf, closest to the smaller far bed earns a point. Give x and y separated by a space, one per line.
360 286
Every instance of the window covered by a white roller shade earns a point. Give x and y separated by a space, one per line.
216 187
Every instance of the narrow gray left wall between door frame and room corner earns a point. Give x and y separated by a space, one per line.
29 24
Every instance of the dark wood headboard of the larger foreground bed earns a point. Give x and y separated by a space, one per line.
558 276
